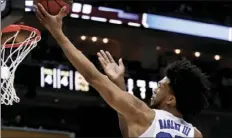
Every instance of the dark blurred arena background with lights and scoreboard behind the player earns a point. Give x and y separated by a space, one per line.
56 101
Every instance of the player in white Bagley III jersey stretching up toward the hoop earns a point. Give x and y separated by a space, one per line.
182 92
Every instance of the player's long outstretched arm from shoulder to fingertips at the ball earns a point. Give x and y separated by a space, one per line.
124 103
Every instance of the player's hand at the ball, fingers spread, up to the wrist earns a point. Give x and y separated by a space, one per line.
52 23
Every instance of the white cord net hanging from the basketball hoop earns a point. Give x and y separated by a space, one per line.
11 56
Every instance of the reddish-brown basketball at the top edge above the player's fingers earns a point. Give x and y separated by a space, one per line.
53 6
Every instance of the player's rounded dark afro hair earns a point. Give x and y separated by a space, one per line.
190 86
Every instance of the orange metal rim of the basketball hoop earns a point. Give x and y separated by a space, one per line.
15 28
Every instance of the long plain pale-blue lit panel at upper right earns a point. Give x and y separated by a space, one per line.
181 26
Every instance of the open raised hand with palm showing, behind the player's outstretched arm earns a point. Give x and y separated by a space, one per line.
113 70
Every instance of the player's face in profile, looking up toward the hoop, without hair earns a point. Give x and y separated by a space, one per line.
160 94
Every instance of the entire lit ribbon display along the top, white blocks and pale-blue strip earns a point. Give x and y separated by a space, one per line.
151 21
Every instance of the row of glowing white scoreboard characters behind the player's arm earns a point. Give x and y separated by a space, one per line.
57 79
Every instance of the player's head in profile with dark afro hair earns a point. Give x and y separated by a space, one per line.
184 88
